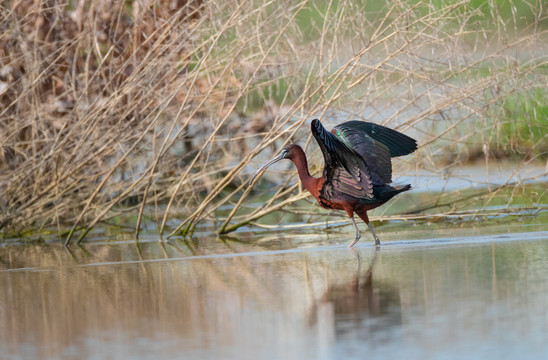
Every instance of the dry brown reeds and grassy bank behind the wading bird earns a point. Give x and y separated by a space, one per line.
155 108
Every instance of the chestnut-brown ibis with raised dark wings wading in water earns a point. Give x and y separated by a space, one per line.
358 168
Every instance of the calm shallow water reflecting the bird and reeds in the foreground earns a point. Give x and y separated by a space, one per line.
424 295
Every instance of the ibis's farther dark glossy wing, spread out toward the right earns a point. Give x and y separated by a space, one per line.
376 144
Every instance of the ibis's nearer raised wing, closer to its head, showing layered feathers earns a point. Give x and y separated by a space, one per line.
345 170
